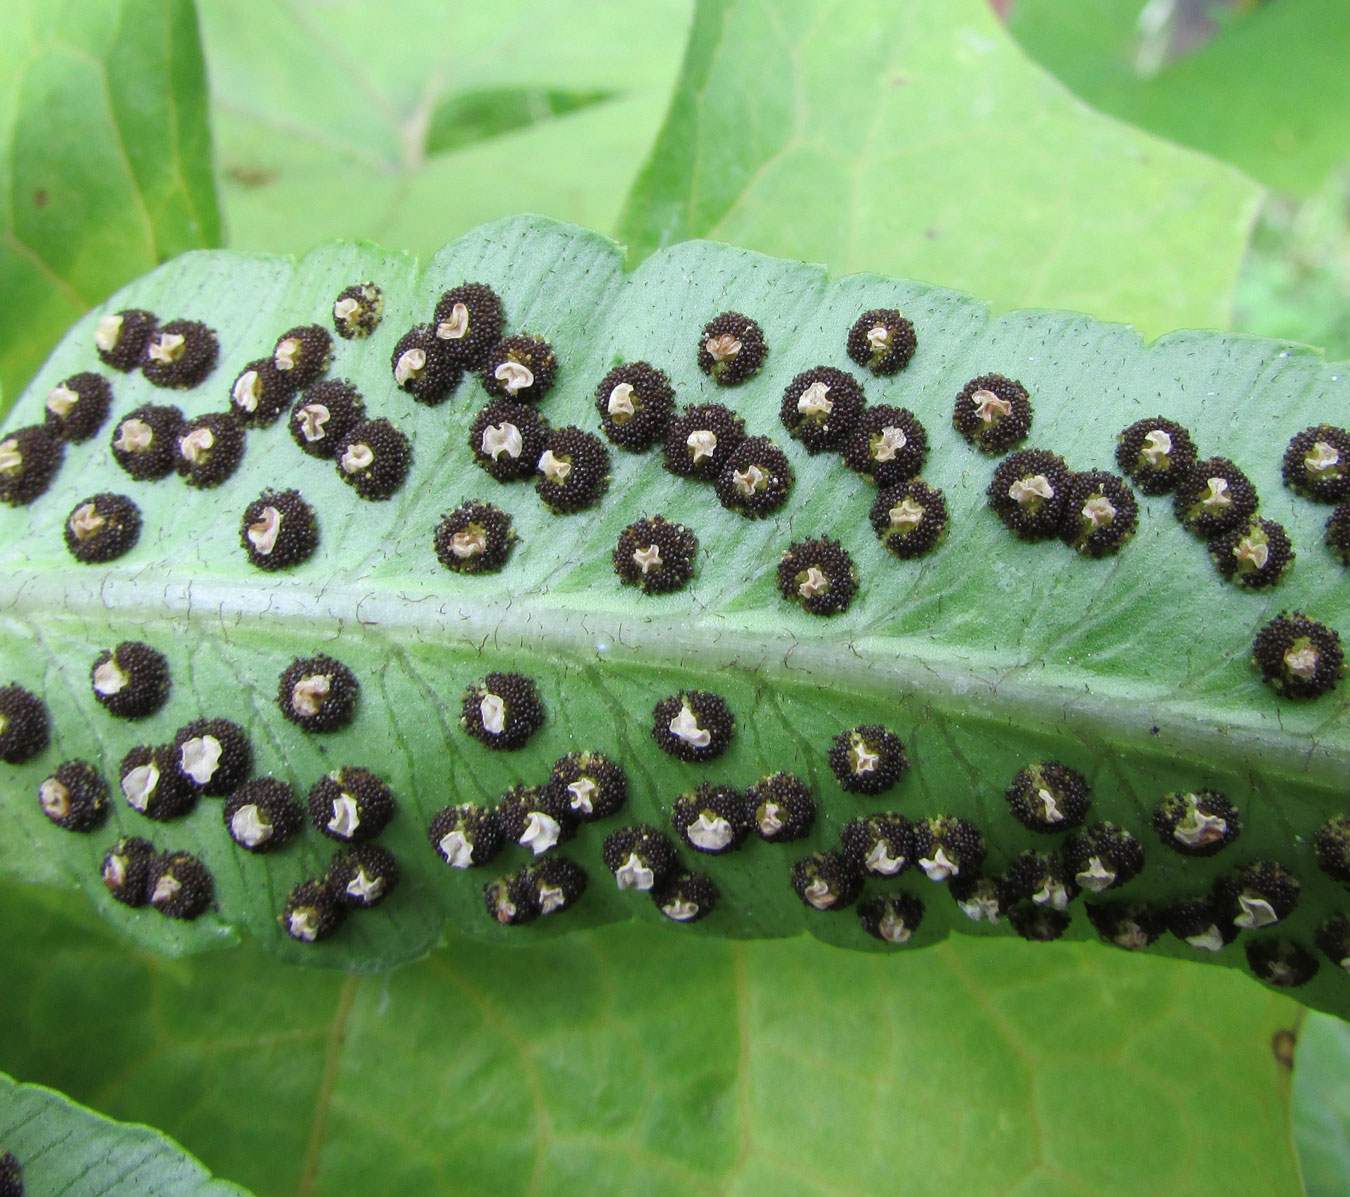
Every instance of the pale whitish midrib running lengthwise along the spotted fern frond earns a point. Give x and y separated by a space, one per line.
1001 689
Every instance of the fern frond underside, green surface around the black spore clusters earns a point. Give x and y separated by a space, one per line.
985 657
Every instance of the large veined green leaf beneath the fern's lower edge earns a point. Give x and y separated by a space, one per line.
622 1061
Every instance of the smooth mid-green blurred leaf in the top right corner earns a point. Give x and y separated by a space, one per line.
1268 92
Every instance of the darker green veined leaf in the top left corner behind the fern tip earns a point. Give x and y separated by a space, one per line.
106 169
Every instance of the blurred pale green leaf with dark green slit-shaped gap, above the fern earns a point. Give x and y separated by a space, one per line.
410 122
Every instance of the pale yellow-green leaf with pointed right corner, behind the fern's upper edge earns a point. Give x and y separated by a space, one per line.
916 140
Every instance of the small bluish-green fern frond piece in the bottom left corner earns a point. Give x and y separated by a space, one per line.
64 1148
